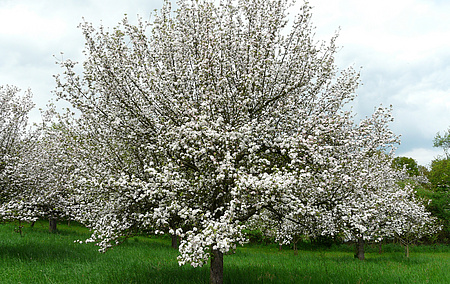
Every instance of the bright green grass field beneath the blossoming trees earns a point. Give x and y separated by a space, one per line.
42 257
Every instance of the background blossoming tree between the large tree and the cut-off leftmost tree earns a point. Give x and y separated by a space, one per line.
44 170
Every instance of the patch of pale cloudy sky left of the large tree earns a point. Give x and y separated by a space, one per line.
31 32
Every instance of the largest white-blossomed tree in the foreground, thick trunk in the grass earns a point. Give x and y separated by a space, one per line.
208 116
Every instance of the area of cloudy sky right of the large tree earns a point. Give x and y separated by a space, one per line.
404 49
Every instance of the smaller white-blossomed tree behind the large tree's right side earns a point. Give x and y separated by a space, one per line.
357 194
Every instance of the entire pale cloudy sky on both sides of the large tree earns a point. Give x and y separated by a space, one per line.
401 46
